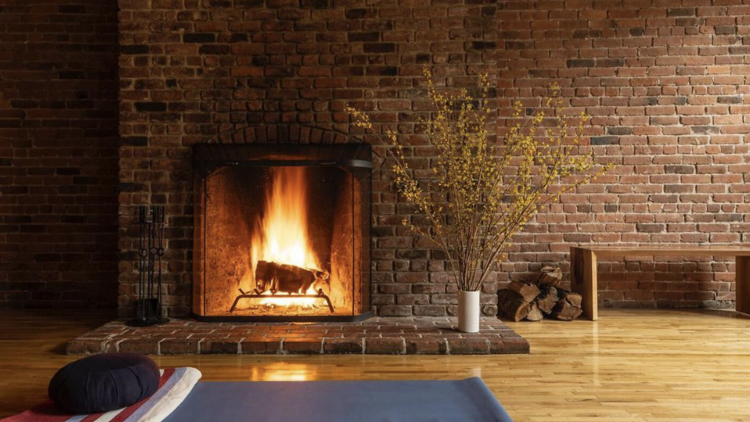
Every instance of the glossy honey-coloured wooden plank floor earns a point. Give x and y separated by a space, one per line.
634 365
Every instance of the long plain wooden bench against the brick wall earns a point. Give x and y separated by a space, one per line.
583 268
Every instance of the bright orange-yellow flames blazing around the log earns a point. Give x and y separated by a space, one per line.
281 234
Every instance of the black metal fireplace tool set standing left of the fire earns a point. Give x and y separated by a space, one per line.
151 221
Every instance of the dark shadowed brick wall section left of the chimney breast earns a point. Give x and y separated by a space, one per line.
58 153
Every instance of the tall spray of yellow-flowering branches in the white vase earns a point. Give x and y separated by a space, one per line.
488 191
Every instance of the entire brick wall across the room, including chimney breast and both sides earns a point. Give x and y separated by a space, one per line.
664 79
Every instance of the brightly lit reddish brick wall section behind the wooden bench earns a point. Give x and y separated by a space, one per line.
666 82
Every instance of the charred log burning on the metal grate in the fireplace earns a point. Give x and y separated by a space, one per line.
270 276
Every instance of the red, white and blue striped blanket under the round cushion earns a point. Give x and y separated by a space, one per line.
174 386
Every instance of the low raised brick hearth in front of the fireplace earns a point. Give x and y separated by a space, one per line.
391 336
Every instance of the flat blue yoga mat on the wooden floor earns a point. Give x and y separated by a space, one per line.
466 400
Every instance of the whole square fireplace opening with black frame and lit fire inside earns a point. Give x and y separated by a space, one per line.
282 232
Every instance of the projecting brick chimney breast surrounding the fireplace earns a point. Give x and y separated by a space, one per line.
194 71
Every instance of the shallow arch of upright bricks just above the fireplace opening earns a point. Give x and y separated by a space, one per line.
283 133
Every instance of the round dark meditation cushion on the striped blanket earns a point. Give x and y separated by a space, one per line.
105 382
